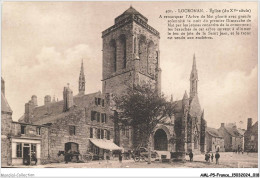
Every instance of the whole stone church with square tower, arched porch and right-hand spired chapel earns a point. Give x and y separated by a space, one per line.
131 55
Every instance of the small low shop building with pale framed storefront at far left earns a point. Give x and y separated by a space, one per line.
29 139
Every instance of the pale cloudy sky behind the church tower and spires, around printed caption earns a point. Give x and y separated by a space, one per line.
43 44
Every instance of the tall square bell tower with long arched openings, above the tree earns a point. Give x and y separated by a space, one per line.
130 53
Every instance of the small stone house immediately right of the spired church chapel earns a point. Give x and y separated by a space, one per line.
214 141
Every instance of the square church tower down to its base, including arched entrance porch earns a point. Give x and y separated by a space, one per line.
131 57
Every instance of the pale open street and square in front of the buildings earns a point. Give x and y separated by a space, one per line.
227 160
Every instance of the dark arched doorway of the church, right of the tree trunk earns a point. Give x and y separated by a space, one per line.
160 140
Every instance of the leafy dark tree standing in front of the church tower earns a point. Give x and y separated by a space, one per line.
143 109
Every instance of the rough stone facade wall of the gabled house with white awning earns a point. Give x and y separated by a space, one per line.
80 117
